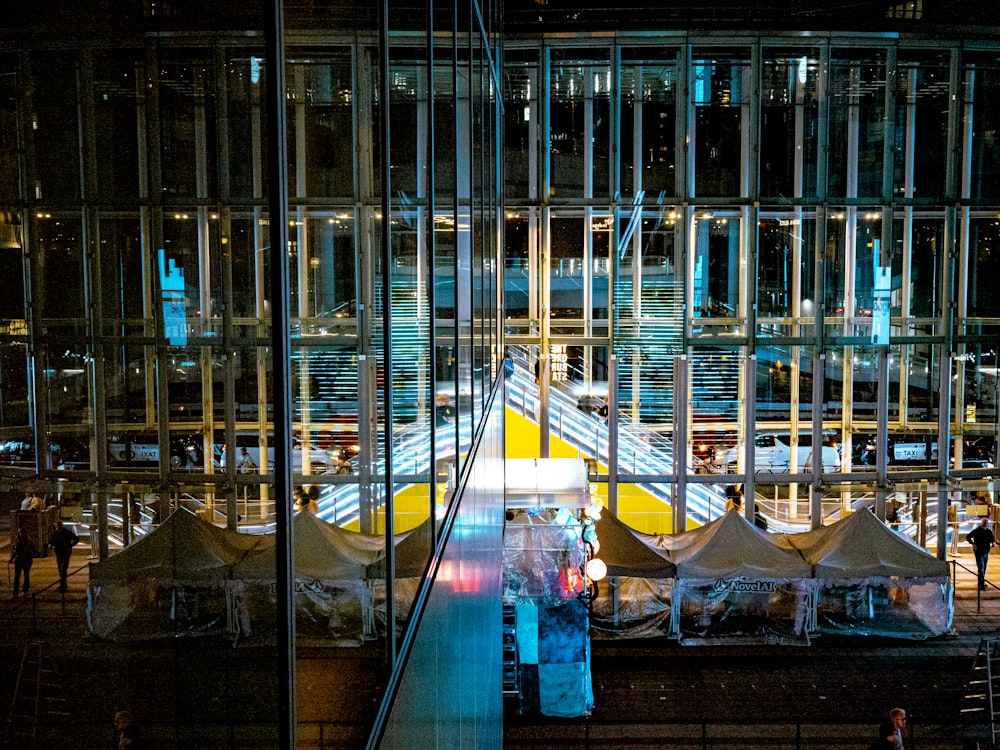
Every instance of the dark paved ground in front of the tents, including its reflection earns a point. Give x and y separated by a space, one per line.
648 693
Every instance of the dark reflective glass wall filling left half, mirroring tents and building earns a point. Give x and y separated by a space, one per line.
146 369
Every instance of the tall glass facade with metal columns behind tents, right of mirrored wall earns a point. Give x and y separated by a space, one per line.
760 244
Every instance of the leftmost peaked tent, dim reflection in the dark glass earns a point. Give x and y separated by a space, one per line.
169 583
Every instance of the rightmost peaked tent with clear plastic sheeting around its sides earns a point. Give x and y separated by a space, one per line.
872 581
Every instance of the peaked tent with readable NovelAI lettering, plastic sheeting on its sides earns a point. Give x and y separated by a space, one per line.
735 585
